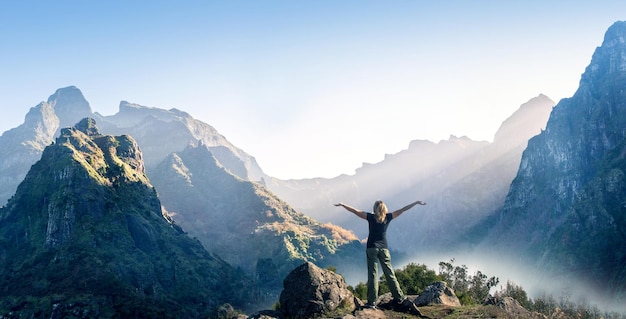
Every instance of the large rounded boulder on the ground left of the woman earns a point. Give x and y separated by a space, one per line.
310 291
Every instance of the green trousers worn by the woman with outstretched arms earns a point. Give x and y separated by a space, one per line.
374 256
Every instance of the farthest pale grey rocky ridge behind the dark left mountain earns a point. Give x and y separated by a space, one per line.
159 132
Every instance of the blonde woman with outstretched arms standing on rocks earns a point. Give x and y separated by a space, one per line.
377 250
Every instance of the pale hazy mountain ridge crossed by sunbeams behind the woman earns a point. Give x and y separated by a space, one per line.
463 181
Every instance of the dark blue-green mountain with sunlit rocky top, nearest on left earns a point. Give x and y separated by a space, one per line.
84 235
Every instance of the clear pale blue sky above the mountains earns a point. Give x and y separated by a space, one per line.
310 88
